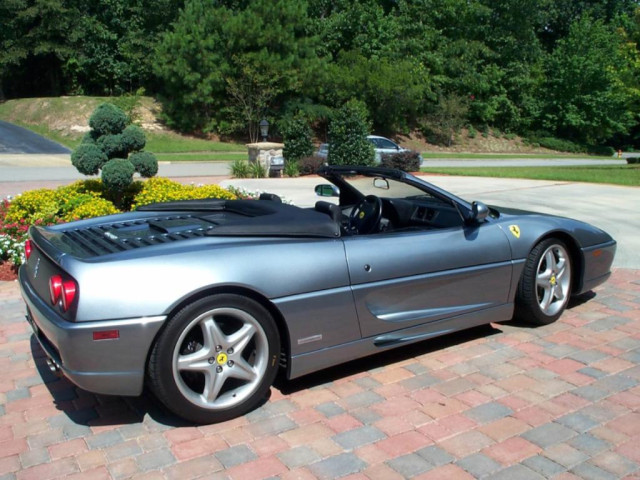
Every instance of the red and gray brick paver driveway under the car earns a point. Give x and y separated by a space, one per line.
503 401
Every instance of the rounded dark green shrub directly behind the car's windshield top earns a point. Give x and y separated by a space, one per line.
348 132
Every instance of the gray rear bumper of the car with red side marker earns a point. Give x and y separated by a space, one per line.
114 366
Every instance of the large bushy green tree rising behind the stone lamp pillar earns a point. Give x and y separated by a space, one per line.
217 77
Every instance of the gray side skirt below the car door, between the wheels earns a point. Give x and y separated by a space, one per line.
306 363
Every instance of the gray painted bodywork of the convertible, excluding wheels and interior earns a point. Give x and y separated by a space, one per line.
337 299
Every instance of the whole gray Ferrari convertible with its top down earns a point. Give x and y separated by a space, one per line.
205 300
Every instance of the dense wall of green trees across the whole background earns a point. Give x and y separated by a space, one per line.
571 67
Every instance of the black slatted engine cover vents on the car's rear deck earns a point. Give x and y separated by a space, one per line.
122 236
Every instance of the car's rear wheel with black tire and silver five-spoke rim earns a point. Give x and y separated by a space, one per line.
215 359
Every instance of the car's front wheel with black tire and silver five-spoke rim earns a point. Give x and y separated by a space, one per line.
545 285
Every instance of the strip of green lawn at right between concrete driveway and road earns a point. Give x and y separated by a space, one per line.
628 175
